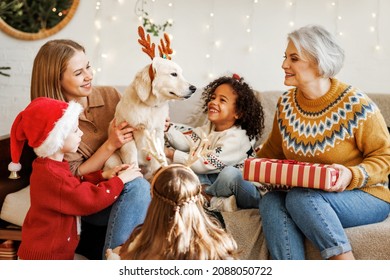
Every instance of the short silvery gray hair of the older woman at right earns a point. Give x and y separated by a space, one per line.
320 46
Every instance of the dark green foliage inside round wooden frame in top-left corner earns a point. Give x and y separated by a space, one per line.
31 15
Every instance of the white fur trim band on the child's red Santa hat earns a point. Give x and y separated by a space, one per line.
61 130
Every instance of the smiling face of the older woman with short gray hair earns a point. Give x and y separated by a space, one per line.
299 71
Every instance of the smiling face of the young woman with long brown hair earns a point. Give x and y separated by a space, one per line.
76 79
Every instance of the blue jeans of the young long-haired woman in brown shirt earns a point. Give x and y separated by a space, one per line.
125 214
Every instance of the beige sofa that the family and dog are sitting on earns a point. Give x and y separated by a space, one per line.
368 242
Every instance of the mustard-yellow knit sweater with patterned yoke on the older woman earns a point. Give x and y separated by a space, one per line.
344 126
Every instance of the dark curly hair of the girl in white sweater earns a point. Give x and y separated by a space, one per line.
248 107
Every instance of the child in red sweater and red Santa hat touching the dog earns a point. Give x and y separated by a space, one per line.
51 228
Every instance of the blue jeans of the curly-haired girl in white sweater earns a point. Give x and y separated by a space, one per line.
230 182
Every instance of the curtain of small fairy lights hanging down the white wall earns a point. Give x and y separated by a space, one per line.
214 44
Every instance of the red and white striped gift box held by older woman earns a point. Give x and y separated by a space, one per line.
289 173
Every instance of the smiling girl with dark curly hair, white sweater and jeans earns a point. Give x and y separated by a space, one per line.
235 122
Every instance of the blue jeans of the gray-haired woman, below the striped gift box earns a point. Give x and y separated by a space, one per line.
289 217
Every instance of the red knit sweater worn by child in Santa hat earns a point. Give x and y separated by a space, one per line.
57 197
